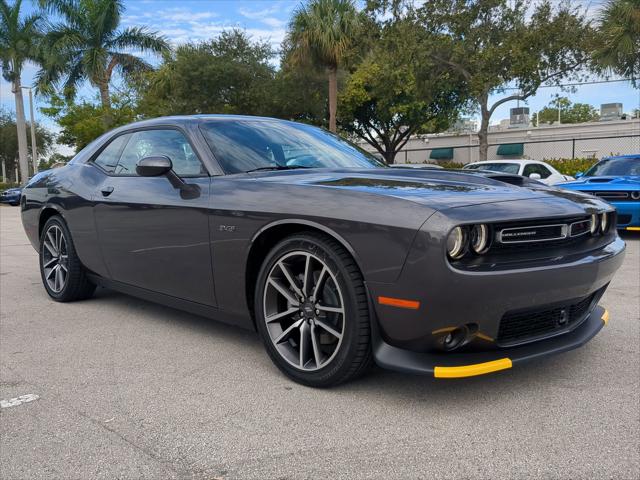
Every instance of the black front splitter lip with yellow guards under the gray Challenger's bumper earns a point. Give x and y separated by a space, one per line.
458 365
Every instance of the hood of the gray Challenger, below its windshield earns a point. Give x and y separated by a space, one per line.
436 189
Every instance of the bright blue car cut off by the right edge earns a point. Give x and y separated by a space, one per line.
616 180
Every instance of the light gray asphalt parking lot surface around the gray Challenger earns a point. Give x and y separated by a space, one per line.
129 389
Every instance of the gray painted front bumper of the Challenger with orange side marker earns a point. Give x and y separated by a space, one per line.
446 298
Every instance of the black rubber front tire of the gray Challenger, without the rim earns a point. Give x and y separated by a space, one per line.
342 362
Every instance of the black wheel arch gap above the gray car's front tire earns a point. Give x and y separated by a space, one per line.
269 235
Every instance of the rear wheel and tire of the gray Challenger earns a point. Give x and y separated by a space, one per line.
63 276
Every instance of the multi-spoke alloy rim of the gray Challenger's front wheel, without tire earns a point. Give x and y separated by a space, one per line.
304 310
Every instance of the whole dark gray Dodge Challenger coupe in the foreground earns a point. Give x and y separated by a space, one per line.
336 260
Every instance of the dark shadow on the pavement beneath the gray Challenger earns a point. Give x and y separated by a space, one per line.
377 382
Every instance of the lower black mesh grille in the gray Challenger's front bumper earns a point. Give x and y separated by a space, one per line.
528 325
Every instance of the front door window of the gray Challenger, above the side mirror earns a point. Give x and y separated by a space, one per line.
170 143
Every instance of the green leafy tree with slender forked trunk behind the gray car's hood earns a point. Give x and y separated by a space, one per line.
495 44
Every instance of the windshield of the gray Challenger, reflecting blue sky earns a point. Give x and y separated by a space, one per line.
242 145
